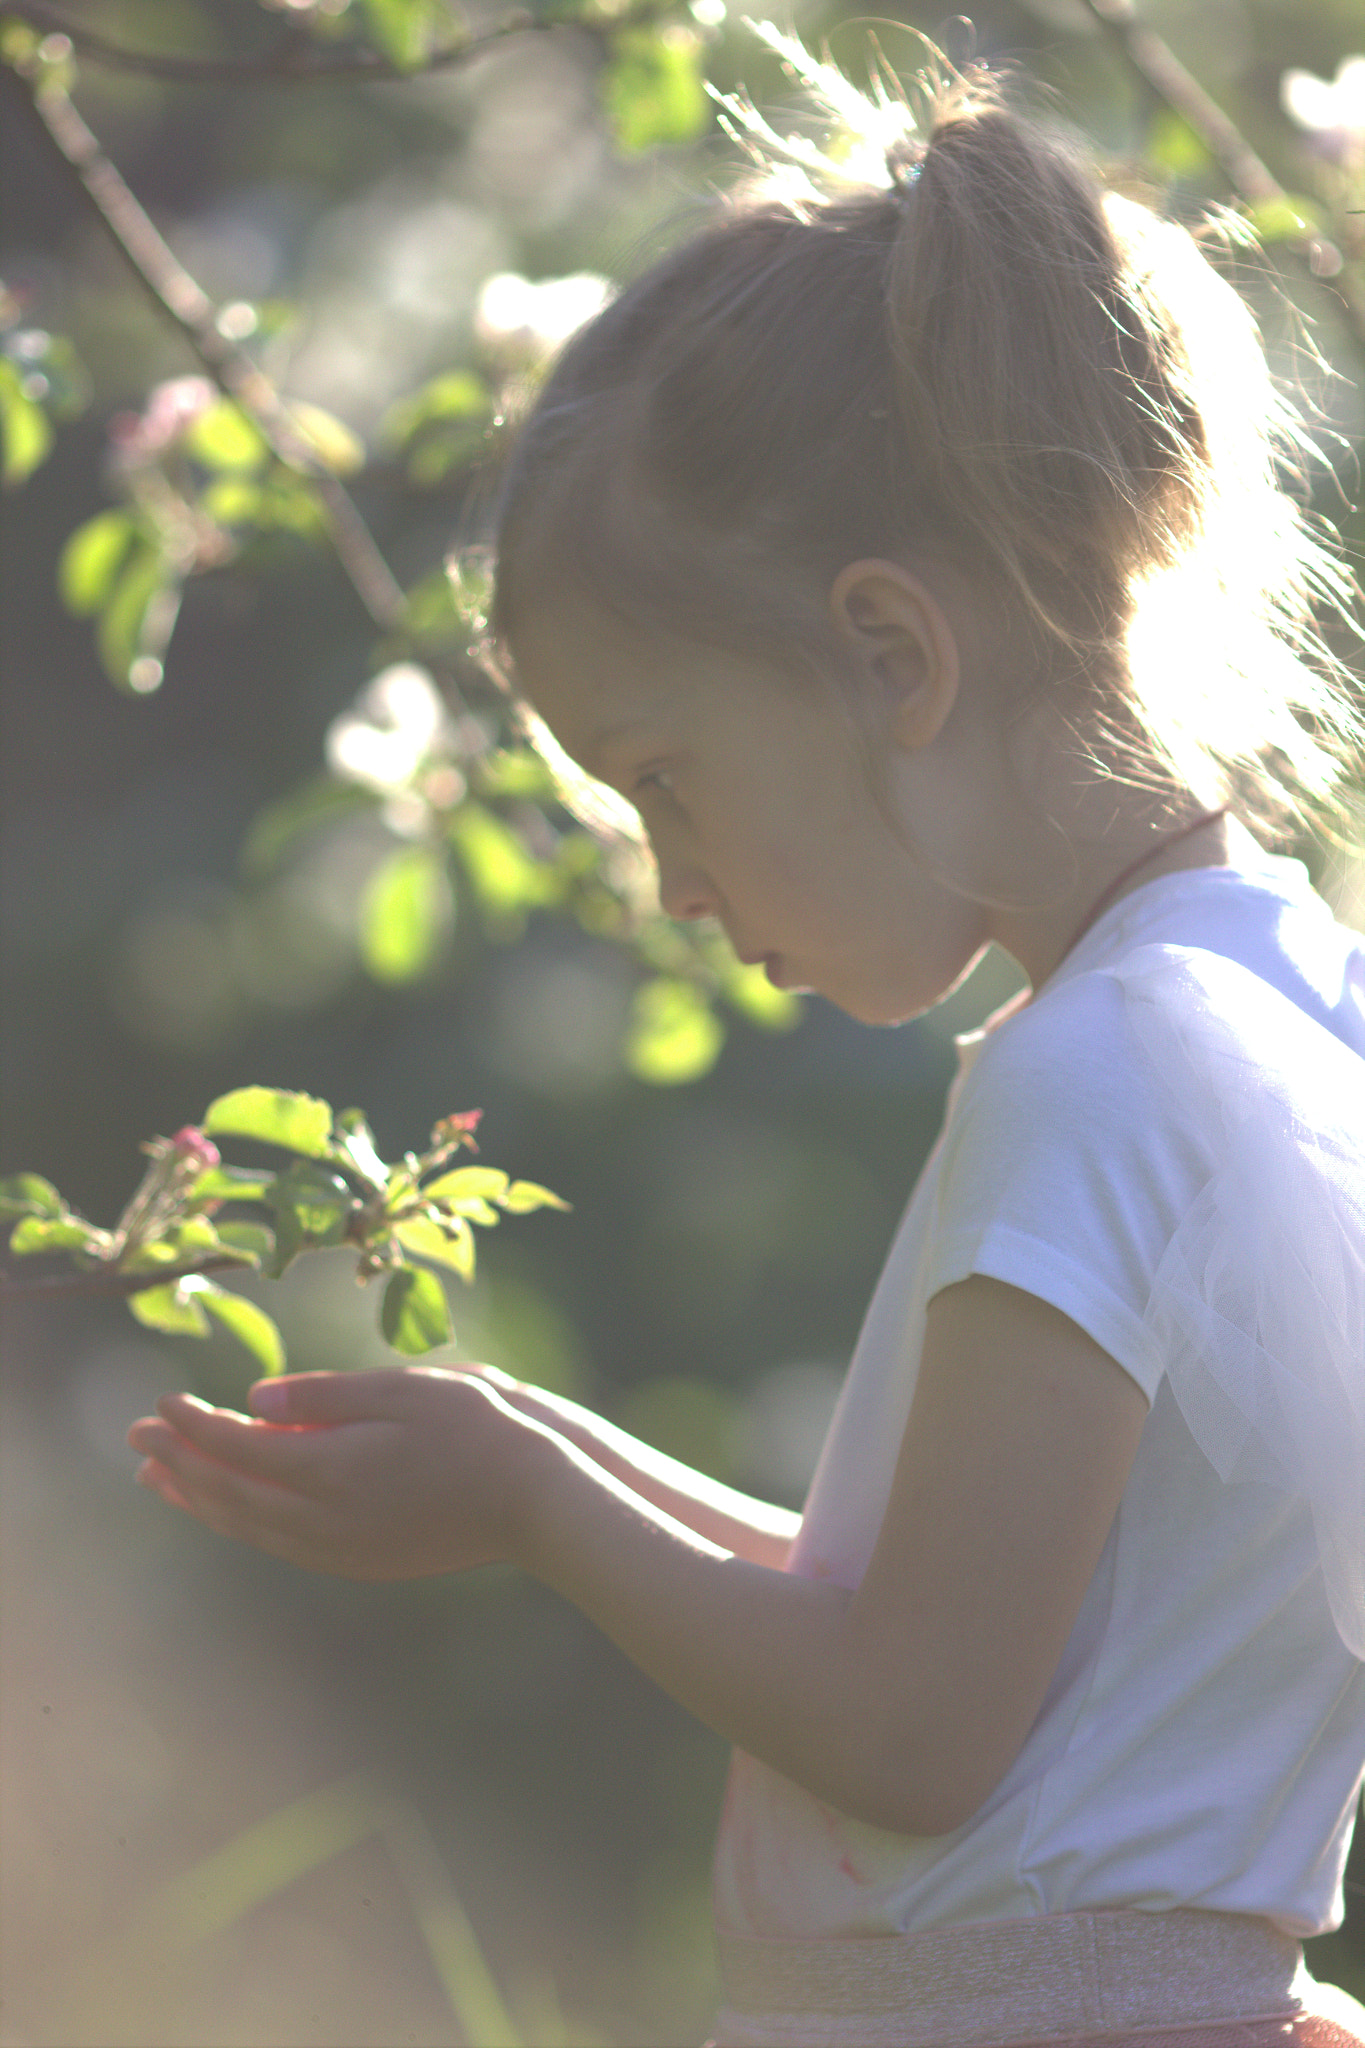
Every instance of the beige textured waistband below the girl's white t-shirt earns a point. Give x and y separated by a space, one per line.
1010 1981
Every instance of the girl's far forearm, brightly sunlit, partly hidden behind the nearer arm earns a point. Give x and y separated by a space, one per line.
734 1521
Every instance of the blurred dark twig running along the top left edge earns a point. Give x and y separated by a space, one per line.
298 60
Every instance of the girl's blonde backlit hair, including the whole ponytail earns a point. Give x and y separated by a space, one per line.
953 343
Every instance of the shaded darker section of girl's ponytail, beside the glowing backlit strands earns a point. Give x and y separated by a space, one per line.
1047 407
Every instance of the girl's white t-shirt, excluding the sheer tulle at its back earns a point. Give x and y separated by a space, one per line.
1204 1738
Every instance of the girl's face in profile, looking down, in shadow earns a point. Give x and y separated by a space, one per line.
756 800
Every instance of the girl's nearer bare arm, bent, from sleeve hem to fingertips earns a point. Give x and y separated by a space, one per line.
901 1703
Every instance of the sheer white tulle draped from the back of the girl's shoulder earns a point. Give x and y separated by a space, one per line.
1258 1306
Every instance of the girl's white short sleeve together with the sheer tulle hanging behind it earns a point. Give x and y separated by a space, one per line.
1174 1154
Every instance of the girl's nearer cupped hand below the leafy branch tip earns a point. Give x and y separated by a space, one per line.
371 1476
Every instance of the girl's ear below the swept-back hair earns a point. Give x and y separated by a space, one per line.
901 640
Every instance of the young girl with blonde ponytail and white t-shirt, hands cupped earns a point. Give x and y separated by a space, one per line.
914 560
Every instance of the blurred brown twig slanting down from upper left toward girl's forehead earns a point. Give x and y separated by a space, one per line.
193 312
